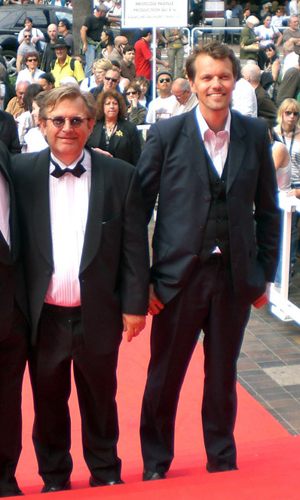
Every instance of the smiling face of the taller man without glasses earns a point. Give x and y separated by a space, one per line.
213 83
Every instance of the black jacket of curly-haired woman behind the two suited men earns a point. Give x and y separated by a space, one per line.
126 143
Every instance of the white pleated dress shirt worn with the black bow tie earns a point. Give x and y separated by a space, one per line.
69 201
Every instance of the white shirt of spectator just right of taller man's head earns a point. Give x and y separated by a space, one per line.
243 98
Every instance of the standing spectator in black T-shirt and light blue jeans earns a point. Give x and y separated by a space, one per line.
90 36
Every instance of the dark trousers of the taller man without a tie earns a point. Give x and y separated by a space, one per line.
206 303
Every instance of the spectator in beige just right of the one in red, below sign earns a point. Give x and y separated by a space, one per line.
175 51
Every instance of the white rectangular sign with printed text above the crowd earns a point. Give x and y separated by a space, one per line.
154 13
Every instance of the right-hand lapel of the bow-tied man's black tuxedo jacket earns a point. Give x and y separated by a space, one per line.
95 214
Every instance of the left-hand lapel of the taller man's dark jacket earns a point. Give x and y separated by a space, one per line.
196 149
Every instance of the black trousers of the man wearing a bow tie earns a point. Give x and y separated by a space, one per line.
61 342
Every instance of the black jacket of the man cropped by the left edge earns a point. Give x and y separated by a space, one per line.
11 278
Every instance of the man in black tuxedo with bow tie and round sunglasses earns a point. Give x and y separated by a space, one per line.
86 263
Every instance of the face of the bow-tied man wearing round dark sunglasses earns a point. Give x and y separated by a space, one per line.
66 143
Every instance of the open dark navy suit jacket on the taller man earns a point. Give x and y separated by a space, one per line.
173 163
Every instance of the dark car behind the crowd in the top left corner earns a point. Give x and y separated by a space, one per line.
12 19
